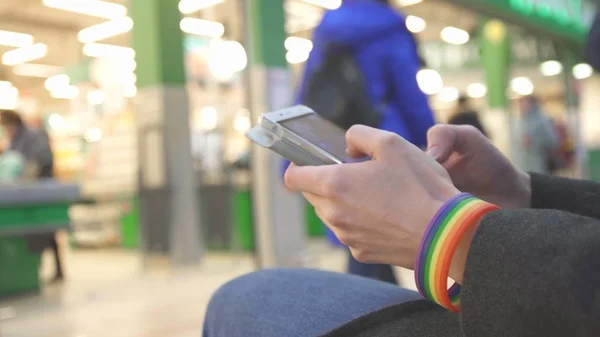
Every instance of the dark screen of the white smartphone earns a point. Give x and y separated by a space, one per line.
320 132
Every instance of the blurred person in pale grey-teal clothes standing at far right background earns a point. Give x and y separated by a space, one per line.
538 136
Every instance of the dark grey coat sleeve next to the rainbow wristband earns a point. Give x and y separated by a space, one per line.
533 273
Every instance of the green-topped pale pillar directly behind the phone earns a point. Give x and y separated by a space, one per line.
278 214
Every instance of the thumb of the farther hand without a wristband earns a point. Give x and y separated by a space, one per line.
443 140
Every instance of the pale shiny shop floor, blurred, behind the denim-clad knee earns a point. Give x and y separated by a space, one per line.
107 294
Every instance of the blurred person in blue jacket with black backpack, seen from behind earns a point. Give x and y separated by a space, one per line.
362 70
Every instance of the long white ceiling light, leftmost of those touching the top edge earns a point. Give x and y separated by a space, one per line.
97 8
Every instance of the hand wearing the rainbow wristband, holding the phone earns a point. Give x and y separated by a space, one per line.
379 208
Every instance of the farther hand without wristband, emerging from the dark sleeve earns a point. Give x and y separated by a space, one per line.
476 166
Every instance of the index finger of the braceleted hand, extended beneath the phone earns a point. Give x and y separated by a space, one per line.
308 178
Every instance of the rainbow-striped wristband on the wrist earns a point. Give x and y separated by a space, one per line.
442 236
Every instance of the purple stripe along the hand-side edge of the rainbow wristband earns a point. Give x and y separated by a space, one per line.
427 238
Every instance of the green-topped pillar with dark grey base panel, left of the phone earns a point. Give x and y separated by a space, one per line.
168 206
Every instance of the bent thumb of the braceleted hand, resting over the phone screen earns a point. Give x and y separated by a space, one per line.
366 141
